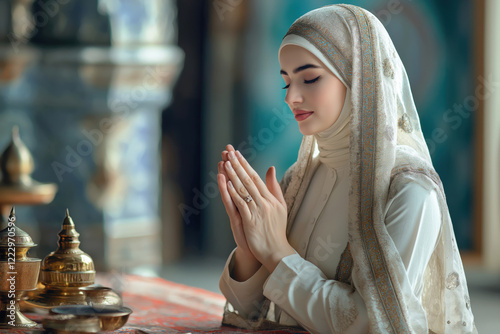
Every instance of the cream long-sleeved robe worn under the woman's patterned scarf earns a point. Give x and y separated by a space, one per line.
303 287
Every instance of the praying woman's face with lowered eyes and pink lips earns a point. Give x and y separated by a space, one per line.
314 94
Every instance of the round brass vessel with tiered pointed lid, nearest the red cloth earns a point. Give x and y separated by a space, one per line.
64 272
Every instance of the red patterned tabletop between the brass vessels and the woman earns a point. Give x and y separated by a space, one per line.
160 306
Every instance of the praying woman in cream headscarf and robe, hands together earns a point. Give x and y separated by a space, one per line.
356 237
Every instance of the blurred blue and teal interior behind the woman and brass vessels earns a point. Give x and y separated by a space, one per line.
126 106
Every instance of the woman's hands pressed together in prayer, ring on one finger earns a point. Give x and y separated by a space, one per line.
257 212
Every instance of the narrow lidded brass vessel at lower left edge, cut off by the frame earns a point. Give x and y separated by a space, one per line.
18 274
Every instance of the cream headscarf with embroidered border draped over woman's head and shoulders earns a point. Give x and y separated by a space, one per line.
387 150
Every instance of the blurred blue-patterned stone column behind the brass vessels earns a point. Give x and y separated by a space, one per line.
87 87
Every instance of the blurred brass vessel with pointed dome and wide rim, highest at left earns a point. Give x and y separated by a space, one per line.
16 185
